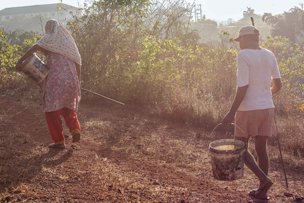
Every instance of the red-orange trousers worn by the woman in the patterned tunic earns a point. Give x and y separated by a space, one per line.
54 123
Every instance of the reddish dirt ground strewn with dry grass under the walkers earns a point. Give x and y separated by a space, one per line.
125 155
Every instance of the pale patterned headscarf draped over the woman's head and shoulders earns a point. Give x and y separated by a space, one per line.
58 39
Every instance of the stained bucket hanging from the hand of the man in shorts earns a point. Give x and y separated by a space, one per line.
227 159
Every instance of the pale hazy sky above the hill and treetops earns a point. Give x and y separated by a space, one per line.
219 10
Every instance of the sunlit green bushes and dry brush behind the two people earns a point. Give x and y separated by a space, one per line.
142 52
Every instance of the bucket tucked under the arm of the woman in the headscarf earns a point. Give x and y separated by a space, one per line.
35 68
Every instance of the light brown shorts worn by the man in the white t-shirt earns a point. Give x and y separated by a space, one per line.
253 123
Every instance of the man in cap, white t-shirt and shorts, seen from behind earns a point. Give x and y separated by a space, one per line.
258 78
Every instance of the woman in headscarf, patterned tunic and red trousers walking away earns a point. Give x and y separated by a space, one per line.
61 88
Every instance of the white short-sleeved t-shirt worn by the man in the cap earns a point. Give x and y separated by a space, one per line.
256 68
